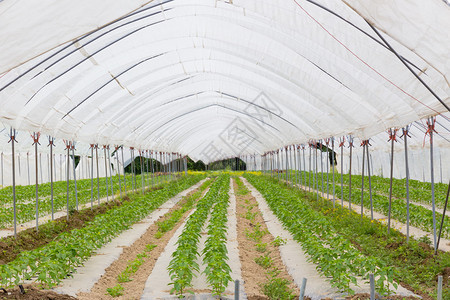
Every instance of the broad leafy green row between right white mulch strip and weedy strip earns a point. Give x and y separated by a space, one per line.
337 258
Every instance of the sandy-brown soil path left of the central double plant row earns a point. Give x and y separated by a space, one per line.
134 288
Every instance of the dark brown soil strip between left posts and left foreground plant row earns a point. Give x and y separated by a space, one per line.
29 239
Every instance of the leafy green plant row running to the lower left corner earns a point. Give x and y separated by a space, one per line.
58 259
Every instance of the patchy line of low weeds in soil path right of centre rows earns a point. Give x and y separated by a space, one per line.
274 287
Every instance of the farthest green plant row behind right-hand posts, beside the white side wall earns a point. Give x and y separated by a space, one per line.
418 191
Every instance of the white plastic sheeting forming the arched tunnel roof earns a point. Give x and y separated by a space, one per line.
214 79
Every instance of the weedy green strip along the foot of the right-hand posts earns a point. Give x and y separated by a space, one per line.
414 262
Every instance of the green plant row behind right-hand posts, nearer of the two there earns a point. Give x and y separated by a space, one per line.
419 216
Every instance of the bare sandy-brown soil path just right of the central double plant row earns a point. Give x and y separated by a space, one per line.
253 274
